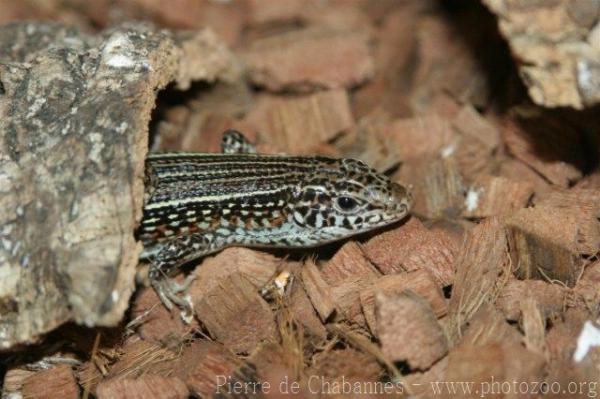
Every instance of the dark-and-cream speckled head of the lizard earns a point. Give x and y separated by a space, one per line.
344 197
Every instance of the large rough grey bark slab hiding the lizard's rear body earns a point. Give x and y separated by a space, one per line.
75 110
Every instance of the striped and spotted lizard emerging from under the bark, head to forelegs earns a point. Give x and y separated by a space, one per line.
197 204
